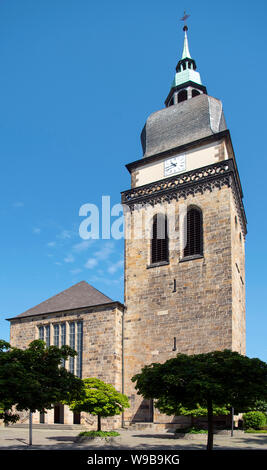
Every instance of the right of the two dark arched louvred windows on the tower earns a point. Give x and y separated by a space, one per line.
194 245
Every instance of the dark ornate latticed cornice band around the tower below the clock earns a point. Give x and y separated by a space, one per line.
192 182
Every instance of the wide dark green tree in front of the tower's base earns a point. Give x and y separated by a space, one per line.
211 379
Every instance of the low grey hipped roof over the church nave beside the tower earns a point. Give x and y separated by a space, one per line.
77 296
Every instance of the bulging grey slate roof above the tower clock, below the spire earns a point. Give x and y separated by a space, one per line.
182 123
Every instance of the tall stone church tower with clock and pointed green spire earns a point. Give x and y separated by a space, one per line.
183 294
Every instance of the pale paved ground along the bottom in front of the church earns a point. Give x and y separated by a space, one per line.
17 439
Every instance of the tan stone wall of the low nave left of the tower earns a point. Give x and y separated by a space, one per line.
102 351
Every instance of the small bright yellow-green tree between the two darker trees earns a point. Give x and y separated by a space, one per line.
101 400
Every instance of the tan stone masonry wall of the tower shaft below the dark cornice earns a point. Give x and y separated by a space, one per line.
200 314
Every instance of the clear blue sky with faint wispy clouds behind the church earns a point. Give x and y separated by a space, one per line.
78 80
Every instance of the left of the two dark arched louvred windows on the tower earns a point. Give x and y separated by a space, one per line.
159 242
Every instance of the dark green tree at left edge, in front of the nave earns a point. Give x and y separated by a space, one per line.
33 379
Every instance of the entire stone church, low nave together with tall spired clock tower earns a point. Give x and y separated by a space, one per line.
183 294
